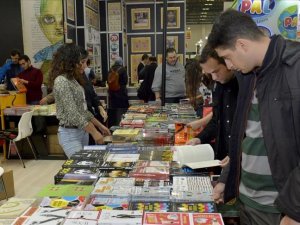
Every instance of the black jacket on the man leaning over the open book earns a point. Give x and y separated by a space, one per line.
224 104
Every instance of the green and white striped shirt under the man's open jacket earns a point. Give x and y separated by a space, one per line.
257 189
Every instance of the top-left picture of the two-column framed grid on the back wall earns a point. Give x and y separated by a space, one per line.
140 19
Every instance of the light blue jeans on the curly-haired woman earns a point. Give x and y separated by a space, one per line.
72 140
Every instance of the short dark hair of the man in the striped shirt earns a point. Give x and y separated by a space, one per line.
230 26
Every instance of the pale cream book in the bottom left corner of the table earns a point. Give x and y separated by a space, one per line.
14 207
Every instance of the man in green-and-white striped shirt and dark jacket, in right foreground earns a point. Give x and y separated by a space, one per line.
265 163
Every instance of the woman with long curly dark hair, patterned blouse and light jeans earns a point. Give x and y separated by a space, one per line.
75 121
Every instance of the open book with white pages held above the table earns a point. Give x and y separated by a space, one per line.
195 156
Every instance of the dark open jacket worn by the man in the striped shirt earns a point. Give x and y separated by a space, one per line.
277 85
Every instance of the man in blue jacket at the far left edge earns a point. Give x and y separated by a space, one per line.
10 69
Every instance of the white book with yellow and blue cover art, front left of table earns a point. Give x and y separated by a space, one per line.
74 202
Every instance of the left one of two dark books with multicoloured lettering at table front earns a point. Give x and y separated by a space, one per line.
151 206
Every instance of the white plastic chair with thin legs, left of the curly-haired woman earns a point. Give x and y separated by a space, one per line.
24 131
